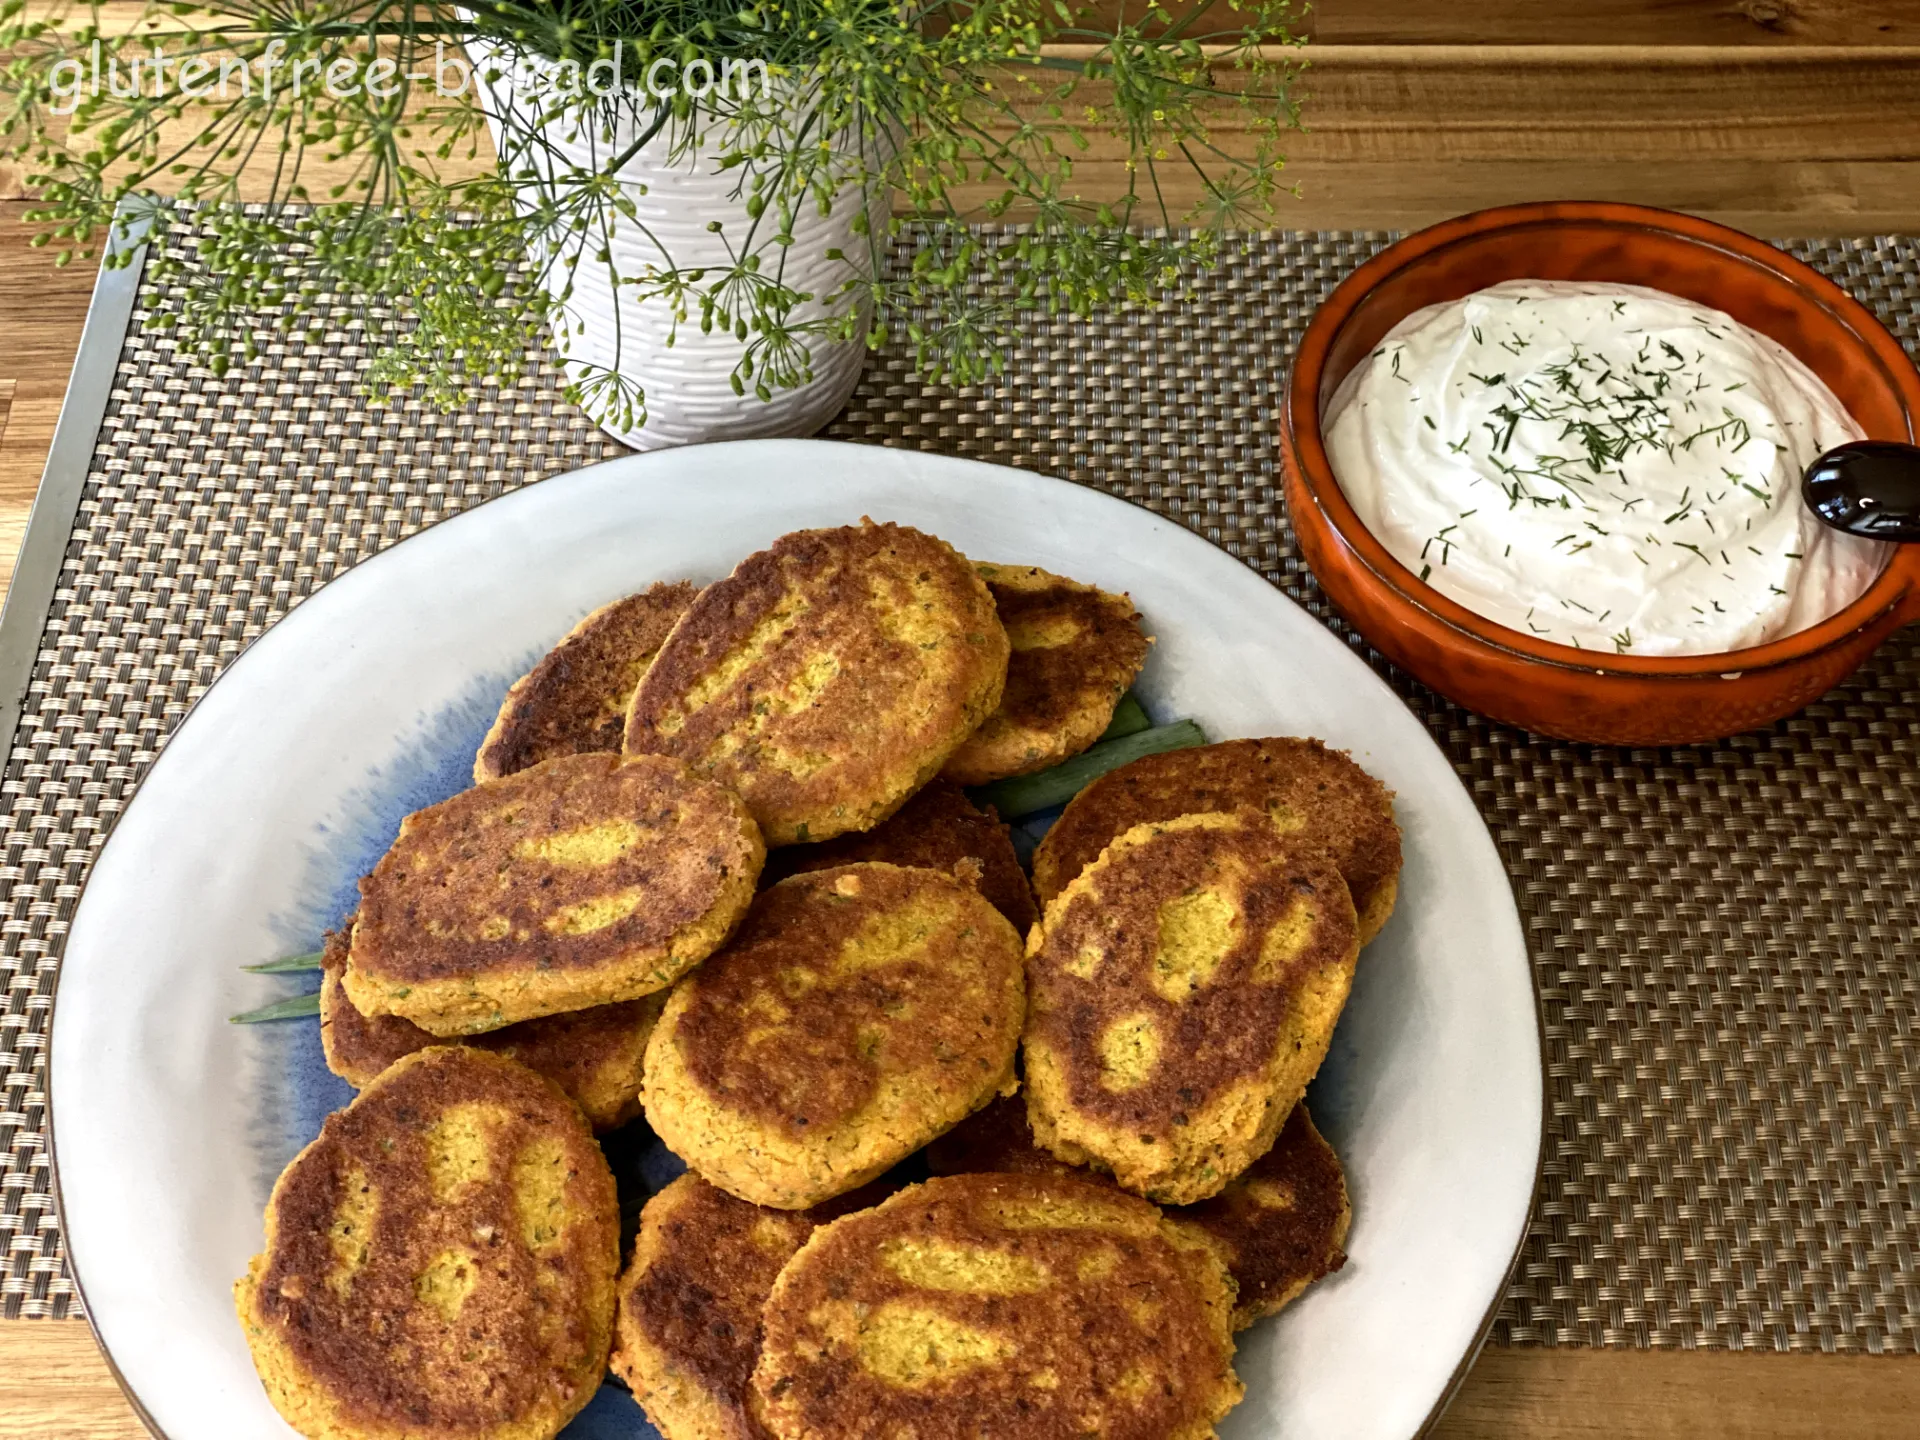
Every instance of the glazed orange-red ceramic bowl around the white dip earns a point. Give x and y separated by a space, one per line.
1518 679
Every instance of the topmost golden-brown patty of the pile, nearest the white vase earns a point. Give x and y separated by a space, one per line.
828 677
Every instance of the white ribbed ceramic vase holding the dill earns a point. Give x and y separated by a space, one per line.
688 375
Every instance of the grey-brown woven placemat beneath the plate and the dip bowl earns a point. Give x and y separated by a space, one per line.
1723 936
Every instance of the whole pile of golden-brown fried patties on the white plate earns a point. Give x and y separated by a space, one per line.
719 869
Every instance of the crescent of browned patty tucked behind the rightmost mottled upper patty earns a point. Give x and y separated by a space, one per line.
1316 792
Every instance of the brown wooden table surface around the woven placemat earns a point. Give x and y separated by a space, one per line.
1777 116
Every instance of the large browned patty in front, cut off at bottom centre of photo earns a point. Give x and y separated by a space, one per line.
1009 1307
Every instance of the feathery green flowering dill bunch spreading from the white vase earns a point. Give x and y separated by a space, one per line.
942 99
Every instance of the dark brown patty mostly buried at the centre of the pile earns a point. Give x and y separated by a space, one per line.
936 830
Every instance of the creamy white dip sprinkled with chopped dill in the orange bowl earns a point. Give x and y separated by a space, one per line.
1600 466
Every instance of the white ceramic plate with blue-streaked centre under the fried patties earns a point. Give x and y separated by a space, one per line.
368 702
